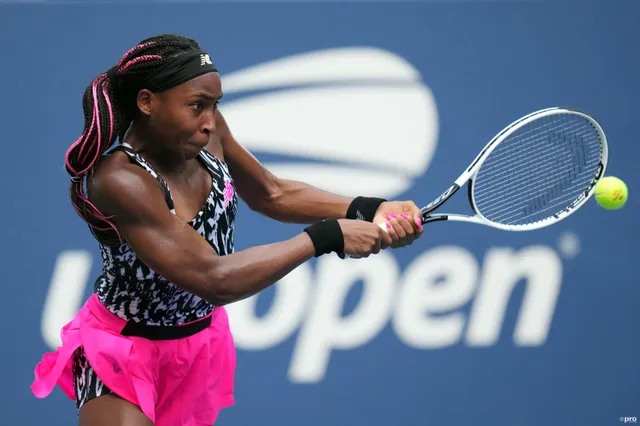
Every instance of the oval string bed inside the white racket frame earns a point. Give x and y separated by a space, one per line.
538 170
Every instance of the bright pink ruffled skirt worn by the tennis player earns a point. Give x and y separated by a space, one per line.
185 381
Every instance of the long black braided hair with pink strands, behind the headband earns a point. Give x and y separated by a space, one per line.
109 105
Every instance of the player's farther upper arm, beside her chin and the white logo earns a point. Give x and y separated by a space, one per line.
255 184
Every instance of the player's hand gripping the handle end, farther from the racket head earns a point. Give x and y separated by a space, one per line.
362 238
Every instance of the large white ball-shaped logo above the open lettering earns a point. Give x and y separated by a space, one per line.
348 120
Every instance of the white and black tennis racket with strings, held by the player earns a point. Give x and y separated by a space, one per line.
536 172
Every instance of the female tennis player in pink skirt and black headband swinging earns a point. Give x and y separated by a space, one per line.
152 345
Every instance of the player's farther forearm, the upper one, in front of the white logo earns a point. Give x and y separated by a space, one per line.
298 202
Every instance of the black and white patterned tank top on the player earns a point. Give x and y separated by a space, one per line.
132 291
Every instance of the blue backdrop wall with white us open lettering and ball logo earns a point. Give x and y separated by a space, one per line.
470 326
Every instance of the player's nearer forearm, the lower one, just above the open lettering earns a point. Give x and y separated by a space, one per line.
247 272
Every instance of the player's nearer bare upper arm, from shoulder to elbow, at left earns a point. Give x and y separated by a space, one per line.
136 205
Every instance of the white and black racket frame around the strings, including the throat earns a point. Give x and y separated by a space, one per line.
468 176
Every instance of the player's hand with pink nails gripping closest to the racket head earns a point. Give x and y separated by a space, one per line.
402 220
